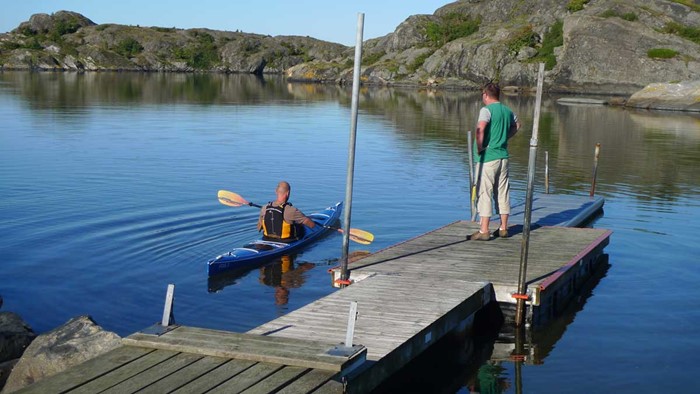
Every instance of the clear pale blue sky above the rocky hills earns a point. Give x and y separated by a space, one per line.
328 20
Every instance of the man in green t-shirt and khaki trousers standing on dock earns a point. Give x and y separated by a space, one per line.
496 124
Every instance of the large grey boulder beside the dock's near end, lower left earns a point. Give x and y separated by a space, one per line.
78 340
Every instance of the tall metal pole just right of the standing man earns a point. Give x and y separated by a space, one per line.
522 285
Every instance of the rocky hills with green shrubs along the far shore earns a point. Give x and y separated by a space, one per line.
599 48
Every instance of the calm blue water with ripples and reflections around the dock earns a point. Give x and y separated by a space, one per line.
108 193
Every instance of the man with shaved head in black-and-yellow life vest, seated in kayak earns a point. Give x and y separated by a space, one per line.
280 221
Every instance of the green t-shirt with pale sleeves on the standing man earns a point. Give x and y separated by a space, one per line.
499 119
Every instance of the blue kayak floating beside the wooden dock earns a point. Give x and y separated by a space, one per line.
259 251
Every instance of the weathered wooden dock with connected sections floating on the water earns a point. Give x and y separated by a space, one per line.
408 297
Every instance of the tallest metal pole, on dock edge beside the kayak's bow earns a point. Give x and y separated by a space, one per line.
344 274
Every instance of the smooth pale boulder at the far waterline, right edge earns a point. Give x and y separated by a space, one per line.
682 96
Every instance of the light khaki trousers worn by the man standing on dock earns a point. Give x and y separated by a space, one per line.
492 184
